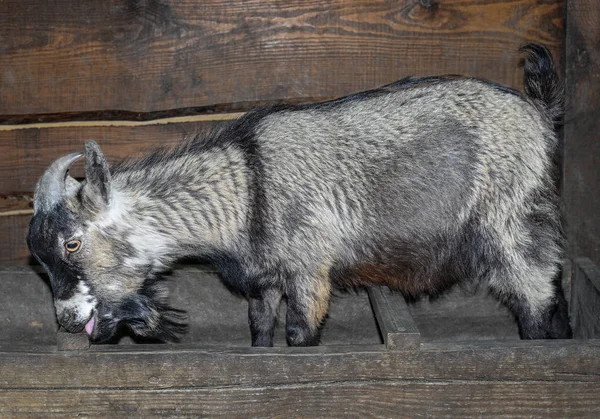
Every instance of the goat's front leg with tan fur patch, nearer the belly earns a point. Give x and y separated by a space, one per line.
308 303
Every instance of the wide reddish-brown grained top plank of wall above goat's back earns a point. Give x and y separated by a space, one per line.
170 54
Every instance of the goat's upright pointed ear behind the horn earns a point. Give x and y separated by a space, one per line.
97 175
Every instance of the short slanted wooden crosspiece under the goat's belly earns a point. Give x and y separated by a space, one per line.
395 322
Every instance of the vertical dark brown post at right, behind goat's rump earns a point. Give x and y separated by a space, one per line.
581 183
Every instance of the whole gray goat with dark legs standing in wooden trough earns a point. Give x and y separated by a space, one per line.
416 185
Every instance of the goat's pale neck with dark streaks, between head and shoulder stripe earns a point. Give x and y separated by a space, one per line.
185 206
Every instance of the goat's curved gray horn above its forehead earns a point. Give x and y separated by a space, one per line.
51 188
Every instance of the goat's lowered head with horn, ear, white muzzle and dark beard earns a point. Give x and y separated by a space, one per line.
97 279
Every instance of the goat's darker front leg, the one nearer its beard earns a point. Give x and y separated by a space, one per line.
262 314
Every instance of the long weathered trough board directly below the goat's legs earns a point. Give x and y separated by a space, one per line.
166 366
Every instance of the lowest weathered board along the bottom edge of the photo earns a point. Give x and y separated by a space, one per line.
397 399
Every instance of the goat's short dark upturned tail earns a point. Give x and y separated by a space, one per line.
542 83
